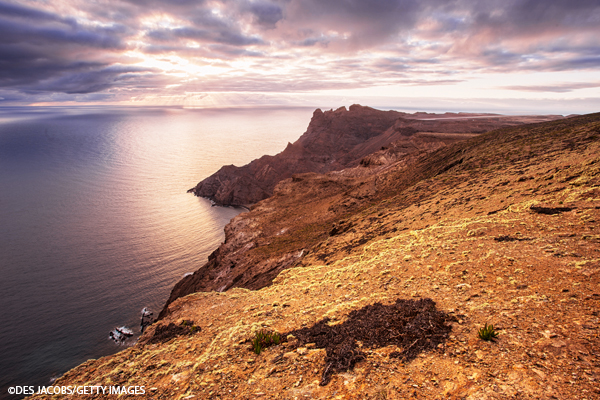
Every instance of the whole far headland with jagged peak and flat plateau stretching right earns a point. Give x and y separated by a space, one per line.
339 139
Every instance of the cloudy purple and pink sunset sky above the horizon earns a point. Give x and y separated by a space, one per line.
516 56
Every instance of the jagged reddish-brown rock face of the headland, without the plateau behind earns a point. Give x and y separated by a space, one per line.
330 136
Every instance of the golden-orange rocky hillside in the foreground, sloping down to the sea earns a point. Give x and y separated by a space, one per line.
501 228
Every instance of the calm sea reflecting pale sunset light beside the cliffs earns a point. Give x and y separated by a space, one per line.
95 221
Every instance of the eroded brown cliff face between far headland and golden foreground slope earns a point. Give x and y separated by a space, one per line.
263 242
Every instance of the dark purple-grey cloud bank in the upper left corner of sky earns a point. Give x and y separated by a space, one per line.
37 47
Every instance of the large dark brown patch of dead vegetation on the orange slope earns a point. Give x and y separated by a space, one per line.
414 326
